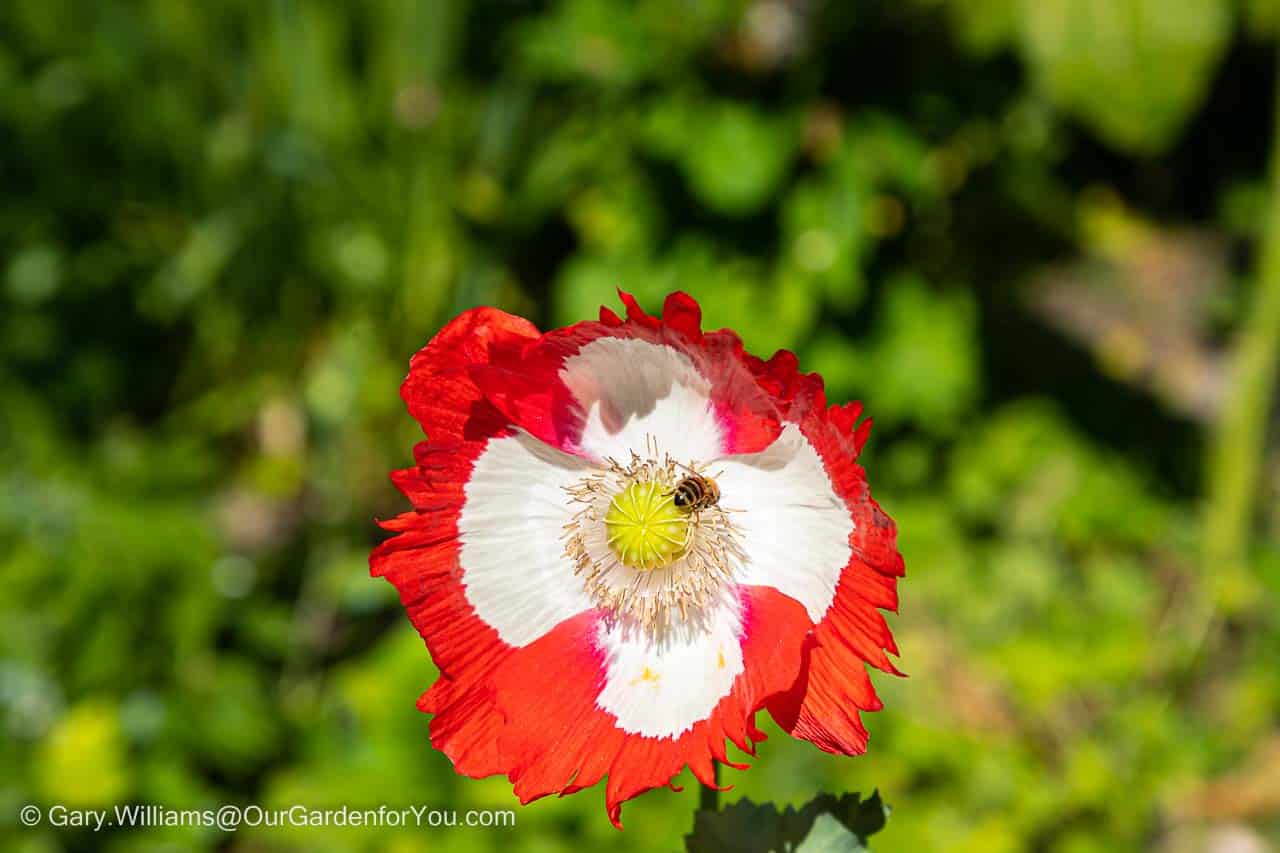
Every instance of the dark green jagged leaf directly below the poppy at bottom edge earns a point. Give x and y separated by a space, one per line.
826 824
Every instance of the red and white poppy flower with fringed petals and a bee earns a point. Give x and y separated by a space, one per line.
628 537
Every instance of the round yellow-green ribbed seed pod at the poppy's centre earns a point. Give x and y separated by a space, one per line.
644 528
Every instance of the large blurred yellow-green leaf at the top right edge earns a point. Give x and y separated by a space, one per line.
1135 71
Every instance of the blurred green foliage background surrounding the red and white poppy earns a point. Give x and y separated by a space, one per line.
1031 235
